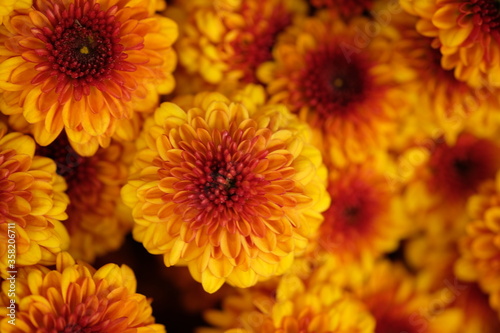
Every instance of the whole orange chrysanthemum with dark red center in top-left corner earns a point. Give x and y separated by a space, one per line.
83 66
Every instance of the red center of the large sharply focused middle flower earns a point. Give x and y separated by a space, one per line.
222 184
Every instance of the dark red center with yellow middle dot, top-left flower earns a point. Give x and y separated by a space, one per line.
82 50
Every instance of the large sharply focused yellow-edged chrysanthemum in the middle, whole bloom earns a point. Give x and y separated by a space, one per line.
231 190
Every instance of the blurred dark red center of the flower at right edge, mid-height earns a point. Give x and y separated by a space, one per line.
458 170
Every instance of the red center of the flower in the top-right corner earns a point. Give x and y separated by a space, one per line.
485 16
